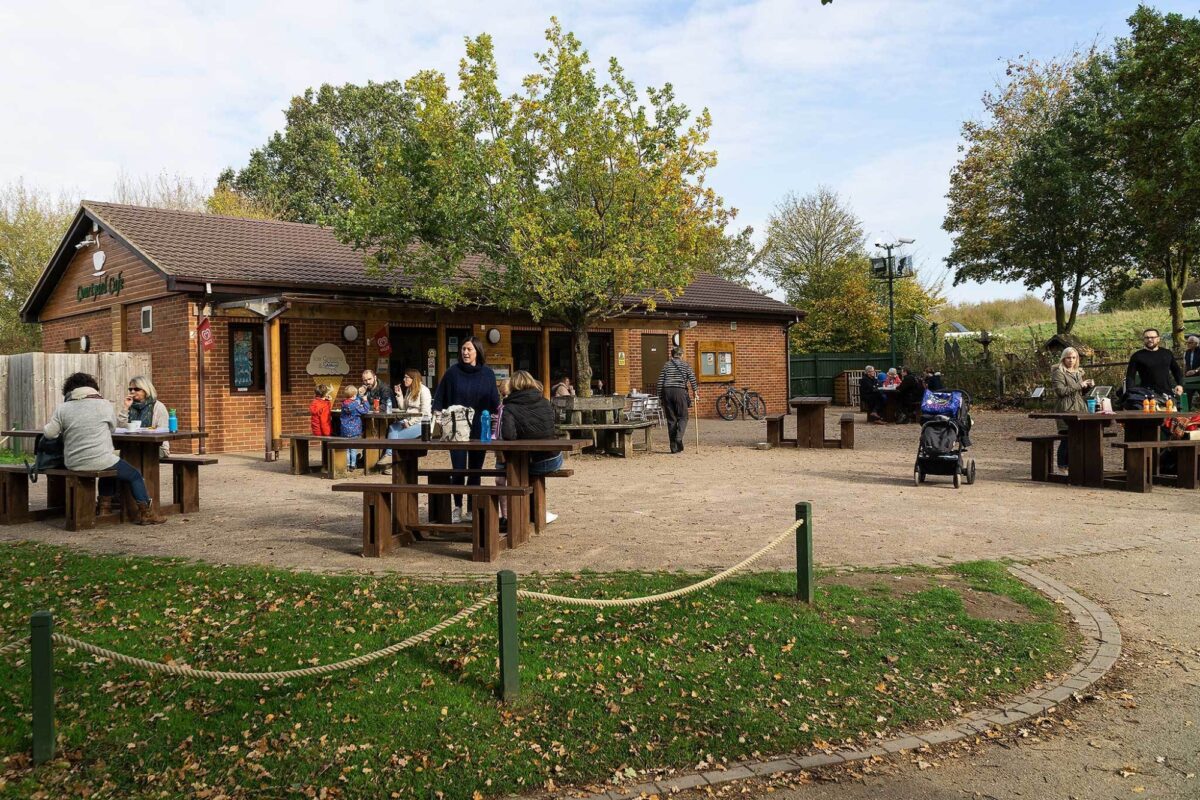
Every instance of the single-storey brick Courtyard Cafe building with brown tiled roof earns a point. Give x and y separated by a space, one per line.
243 317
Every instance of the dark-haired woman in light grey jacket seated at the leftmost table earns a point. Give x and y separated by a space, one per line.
86 423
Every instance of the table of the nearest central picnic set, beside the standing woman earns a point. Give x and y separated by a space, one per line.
407 455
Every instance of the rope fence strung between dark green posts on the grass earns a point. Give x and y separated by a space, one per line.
44 637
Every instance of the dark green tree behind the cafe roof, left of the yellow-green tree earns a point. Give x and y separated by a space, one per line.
295 173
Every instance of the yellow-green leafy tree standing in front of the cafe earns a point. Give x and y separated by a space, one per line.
581 197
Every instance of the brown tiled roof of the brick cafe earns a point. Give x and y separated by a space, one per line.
290 255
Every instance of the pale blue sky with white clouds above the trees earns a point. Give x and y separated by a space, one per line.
866 97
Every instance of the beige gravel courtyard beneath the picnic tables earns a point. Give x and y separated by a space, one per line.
704 509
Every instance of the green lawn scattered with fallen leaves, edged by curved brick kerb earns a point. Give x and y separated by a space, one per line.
734 672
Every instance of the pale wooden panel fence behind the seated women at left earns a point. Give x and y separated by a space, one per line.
31 384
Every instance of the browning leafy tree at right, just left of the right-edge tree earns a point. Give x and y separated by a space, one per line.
1036 197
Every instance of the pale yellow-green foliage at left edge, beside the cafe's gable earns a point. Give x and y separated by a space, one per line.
32 224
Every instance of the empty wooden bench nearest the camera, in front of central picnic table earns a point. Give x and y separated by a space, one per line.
377 516
